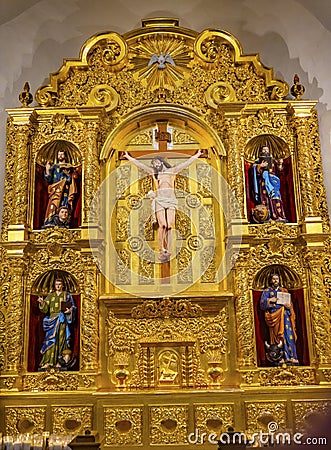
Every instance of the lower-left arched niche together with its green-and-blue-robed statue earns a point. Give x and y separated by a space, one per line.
54 322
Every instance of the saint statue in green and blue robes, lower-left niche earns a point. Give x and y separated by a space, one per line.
60 310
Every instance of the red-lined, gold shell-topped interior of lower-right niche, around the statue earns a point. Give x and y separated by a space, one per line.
292 282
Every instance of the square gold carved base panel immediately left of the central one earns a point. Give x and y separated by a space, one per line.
123 426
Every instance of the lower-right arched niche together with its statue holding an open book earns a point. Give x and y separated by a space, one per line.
280 323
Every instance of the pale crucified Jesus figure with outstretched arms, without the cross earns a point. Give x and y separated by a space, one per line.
164 202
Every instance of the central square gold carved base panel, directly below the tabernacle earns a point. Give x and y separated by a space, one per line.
168 425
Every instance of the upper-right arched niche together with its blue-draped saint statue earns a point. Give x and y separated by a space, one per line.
269 180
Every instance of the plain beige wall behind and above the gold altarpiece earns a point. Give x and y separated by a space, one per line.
290 36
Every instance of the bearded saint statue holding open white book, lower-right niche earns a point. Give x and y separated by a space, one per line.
280 318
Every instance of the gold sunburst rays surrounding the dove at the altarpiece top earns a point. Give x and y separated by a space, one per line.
157 76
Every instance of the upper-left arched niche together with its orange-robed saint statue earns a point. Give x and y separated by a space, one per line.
57 199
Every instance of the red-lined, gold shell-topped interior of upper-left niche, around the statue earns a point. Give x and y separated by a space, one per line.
49 153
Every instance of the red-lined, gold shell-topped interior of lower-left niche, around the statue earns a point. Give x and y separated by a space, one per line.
42 286
